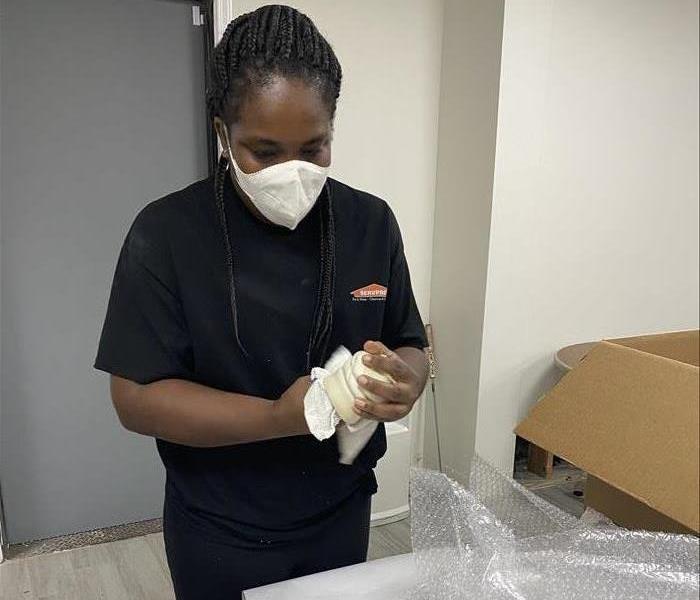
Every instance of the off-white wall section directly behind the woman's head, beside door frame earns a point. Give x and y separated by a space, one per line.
386 127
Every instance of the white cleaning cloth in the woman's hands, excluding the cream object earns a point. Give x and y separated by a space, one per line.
321 414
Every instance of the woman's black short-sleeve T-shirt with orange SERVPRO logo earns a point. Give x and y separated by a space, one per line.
169 316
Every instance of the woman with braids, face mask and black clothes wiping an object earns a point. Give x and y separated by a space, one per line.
228 292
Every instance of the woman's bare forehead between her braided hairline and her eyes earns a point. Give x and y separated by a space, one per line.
285 110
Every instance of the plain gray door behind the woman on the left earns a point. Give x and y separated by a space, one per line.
102 111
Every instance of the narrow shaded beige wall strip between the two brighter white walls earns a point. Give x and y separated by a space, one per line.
467 141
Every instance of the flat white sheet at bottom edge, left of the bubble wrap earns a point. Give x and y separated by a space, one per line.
392 578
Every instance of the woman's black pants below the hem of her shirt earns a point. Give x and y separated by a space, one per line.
206 569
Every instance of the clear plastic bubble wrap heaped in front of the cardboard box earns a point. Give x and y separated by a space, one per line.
497 540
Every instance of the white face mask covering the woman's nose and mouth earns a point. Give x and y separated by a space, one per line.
283 193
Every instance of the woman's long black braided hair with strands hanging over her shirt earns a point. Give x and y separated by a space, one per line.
276 41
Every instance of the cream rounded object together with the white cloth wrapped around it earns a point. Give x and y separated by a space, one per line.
331 397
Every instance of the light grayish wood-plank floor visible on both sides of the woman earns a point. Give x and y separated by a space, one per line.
131 569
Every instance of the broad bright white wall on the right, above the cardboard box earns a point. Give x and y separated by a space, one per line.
595 212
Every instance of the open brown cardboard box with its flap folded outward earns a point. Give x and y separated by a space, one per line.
628 416
